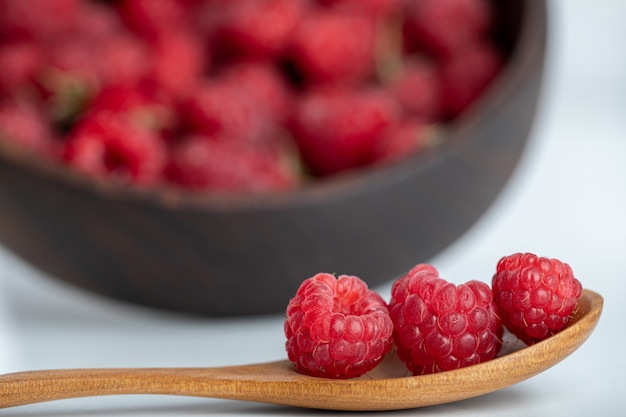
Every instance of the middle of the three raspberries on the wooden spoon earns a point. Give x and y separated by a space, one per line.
440 326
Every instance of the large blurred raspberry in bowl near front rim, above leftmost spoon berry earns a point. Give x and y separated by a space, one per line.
338 130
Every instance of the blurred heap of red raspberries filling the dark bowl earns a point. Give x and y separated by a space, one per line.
237 96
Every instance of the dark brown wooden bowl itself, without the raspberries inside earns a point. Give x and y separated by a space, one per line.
247 255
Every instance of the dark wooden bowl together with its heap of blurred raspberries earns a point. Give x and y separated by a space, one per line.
204 155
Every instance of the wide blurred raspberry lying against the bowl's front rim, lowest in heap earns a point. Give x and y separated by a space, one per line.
206 164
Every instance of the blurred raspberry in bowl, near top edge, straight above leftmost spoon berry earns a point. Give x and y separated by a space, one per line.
333 47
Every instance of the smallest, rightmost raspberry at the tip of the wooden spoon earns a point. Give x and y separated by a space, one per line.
536 296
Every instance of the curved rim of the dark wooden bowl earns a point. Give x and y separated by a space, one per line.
339 186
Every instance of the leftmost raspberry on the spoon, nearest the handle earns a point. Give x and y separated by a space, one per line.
337 327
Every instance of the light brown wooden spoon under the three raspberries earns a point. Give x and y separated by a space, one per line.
385 388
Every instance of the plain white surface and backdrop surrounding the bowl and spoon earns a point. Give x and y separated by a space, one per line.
567 200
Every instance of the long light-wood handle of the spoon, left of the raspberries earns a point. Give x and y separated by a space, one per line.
235 382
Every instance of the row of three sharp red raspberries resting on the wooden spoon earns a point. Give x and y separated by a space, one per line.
338 328
